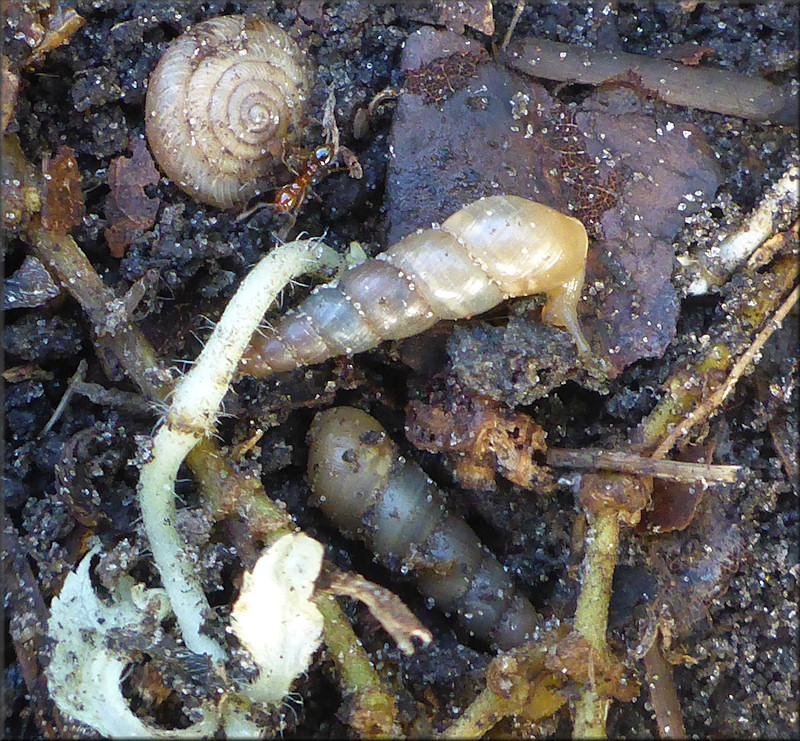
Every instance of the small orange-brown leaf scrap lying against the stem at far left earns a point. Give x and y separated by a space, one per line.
62 206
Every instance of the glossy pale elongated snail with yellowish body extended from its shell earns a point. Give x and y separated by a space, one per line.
490 250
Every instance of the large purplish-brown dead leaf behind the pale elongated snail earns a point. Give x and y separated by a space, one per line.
629 175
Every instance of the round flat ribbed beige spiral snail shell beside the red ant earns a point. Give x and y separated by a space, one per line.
220 105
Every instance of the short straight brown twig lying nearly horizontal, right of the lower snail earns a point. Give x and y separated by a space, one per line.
610 460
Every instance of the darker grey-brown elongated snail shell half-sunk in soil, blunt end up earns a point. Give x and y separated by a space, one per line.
363 485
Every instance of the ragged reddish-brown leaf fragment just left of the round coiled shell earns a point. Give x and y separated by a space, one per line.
129 210
